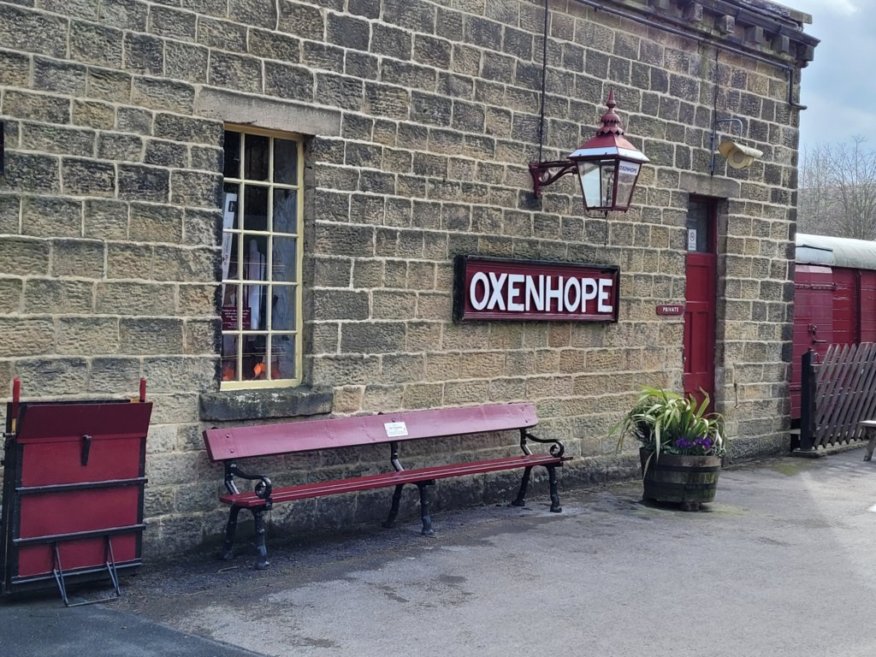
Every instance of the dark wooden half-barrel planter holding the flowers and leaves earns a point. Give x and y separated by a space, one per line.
687 480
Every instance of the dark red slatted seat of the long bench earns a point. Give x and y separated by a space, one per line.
386 479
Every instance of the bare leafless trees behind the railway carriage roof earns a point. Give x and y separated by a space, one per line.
838 190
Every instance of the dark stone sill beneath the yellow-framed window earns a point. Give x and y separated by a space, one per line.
273 403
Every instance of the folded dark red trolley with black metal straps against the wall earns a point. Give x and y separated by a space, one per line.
76 484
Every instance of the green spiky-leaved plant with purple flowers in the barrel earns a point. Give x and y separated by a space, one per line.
664 421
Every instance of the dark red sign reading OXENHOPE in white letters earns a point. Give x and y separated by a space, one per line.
500 289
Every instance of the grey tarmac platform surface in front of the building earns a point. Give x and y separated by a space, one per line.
782 563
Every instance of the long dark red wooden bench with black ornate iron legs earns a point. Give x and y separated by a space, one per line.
229 445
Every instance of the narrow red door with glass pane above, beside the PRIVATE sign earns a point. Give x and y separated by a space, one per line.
699 309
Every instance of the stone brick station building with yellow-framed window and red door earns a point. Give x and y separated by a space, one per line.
256 205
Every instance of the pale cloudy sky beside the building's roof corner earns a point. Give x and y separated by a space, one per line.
839 85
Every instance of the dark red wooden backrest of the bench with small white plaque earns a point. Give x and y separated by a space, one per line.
307 435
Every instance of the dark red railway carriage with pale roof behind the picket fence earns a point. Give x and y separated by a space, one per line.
835 298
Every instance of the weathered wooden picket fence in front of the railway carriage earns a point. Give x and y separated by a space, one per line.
837 394
